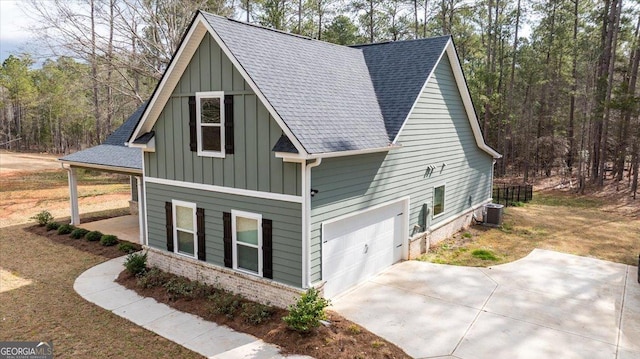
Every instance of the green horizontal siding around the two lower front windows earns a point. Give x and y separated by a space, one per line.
286 217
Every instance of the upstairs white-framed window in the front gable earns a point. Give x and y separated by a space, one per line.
210 123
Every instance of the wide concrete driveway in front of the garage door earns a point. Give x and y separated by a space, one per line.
546 305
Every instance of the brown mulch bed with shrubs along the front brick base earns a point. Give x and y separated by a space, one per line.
342 339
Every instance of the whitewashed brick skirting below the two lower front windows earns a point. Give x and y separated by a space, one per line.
257 289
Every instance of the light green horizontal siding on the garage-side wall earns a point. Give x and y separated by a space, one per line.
437 132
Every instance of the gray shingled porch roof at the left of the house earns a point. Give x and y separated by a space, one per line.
113 152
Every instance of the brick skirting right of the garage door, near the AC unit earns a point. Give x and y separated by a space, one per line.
420 243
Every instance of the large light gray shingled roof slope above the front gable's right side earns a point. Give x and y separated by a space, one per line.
322 91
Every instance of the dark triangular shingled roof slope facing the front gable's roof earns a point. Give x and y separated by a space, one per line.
399 70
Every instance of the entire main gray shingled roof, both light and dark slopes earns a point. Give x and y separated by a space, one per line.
333 98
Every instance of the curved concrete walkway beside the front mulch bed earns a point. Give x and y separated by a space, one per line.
209 339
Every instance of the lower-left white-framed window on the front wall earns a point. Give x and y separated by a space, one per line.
184 228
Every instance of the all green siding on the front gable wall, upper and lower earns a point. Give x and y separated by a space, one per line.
253 165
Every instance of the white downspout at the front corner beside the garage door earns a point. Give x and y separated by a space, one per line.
306 221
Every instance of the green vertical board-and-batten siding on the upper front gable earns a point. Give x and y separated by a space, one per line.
253 166
